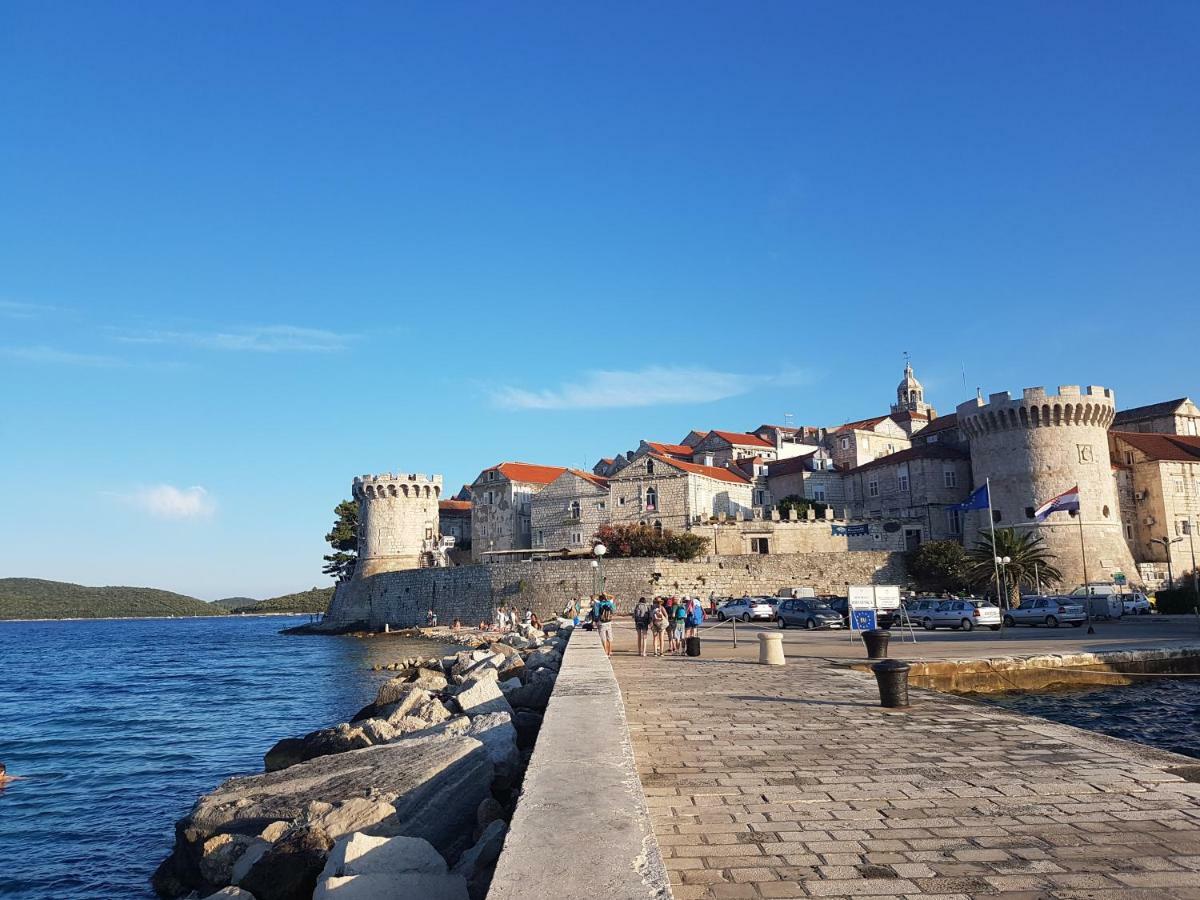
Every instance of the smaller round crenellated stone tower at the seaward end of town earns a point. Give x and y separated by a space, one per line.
398 514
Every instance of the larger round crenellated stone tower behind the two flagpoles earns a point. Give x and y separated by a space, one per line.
1034 449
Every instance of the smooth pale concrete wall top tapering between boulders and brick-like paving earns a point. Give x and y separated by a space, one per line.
583 827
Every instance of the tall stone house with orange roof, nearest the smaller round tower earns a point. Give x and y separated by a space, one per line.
501 506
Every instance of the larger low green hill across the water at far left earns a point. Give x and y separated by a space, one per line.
38 599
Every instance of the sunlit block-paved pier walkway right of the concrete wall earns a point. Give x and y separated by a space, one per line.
794 783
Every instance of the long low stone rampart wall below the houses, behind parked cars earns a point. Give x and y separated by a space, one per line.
470 593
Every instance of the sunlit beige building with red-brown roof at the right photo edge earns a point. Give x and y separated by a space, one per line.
1165 488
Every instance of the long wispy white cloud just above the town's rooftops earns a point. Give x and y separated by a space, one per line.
656 386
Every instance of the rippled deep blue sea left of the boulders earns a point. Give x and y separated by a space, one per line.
121 725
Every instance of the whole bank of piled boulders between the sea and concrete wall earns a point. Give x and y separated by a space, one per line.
411 797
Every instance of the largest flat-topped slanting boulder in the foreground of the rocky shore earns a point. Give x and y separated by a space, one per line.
434 785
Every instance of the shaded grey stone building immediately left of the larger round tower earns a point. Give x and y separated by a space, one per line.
908 493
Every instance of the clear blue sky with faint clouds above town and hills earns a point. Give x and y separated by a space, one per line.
247 255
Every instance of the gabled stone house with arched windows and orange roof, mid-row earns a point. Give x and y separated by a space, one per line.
665 493
